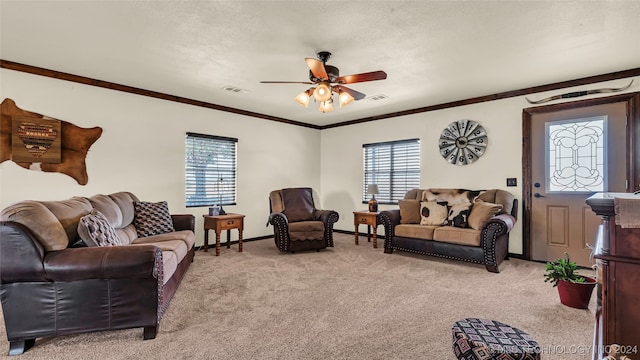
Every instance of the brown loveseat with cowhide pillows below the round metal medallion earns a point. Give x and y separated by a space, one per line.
460 224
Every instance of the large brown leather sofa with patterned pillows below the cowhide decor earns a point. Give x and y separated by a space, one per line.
61 273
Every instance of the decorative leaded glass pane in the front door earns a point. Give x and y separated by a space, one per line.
576 155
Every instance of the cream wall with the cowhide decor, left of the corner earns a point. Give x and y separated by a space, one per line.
142 149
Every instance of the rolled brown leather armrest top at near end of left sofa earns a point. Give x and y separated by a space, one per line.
104 262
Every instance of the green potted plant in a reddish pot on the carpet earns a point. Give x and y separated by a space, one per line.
574 289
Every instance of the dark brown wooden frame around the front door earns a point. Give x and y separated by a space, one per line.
632 101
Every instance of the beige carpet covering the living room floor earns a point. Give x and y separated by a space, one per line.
348 302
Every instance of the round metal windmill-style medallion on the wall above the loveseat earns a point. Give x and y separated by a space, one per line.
463 142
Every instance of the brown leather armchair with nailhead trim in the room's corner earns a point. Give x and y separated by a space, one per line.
297 224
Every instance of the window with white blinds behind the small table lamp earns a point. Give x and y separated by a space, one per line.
394 166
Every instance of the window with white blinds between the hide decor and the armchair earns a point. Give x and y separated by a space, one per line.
210 174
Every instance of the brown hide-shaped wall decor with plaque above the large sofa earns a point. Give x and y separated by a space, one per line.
73 141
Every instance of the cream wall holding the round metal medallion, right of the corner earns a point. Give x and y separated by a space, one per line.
342 159
